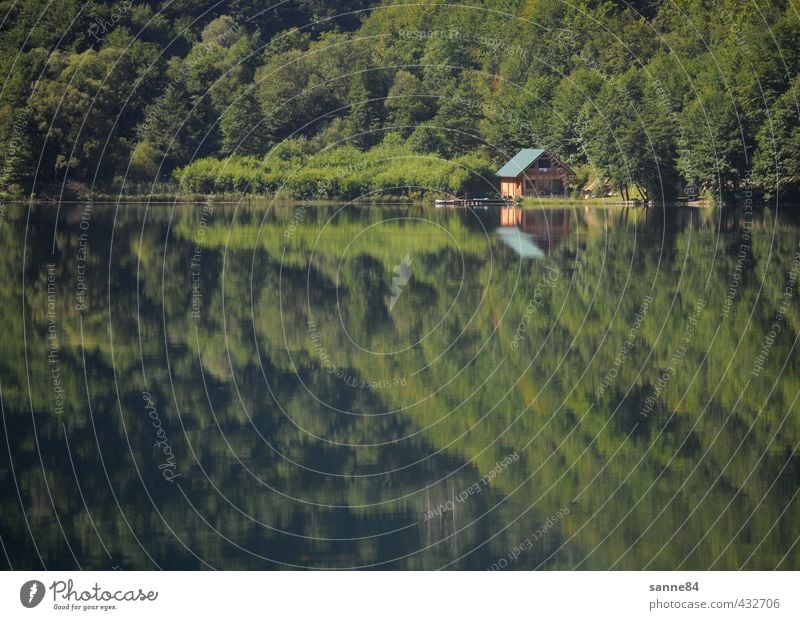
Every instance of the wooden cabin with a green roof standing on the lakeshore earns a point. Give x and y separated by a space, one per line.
534 172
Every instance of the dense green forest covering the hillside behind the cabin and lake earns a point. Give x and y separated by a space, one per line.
686 97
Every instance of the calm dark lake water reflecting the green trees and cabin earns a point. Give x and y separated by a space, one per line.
342 387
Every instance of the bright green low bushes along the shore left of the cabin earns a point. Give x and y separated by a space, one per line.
343 173
